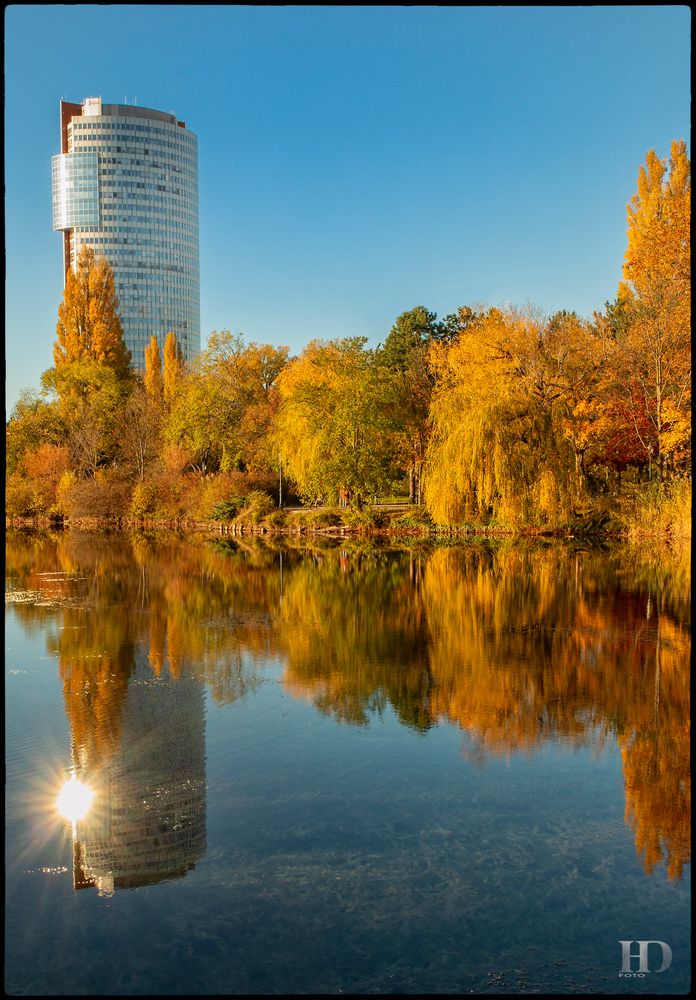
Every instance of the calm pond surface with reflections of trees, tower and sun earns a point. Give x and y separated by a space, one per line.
343 770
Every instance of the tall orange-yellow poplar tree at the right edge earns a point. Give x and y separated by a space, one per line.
654 357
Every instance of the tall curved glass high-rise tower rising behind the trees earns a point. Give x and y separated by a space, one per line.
126 184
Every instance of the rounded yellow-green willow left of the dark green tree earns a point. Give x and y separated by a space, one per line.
332 428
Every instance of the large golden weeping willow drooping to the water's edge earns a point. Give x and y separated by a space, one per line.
497 447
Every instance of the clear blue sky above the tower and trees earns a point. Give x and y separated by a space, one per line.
356 161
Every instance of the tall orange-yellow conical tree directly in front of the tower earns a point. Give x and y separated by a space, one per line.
89 328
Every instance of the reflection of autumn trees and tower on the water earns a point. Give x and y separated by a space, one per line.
518 645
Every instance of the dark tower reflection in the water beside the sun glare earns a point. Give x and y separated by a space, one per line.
147 823
